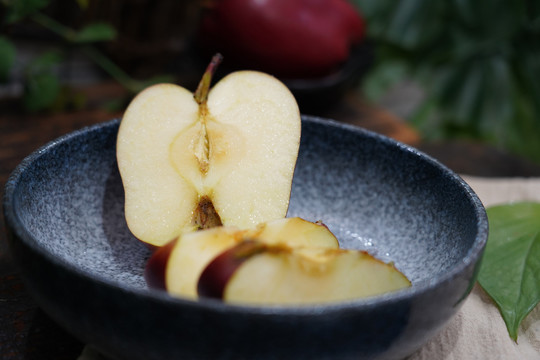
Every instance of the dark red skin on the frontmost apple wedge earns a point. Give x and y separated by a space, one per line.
217 273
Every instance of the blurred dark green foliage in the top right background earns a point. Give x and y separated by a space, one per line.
477 61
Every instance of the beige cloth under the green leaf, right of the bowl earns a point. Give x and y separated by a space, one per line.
478 330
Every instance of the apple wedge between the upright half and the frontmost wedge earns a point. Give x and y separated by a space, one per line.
177 266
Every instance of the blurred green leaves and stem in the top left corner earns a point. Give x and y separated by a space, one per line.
42 87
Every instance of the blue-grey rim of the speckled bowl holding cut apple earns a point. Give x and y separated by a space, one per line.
473 255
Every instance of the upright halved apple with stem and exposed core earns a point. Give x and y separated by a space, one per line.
224 156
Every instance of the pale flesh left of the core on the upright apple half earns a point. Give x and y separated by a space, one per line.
158 200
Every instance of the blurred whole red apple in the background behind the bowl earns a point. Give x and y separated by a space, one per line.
288 39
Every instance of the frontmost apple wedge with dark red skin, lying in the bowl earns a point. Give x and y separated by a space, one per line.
260 274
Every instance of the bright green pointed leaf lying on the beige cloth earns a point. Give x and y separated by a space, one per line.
510 271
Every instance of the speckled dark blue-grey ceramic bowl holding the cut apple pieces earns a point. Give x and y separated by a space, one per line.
64 213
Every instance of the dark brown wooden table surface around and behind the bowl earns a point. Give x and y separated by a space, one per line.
26 332
